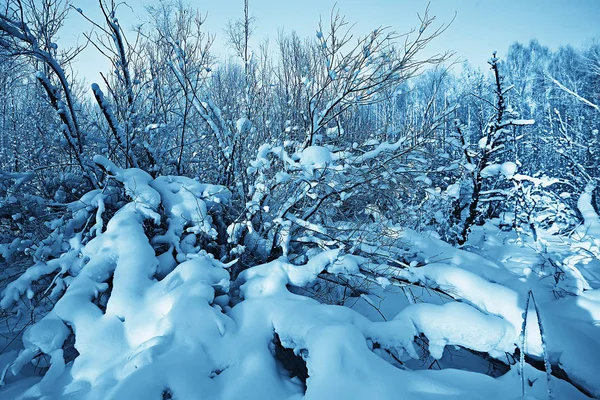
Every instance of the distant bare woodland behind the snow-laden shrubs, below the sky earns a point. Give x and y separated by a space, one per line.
169 107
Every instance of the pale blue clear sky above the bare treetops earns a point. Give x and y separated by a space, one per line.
477 27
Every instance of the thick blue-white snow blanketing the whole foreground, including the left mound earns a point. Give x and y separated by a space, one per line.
428 327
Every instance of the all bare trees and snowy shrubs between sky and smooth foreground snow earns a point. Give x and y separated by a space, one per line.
310 145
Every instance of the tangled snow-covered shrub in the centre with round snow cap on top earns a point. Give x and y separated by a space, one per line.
321 197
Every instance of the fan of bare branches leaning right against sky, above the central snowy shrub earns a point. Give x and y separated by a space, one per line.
349 74
